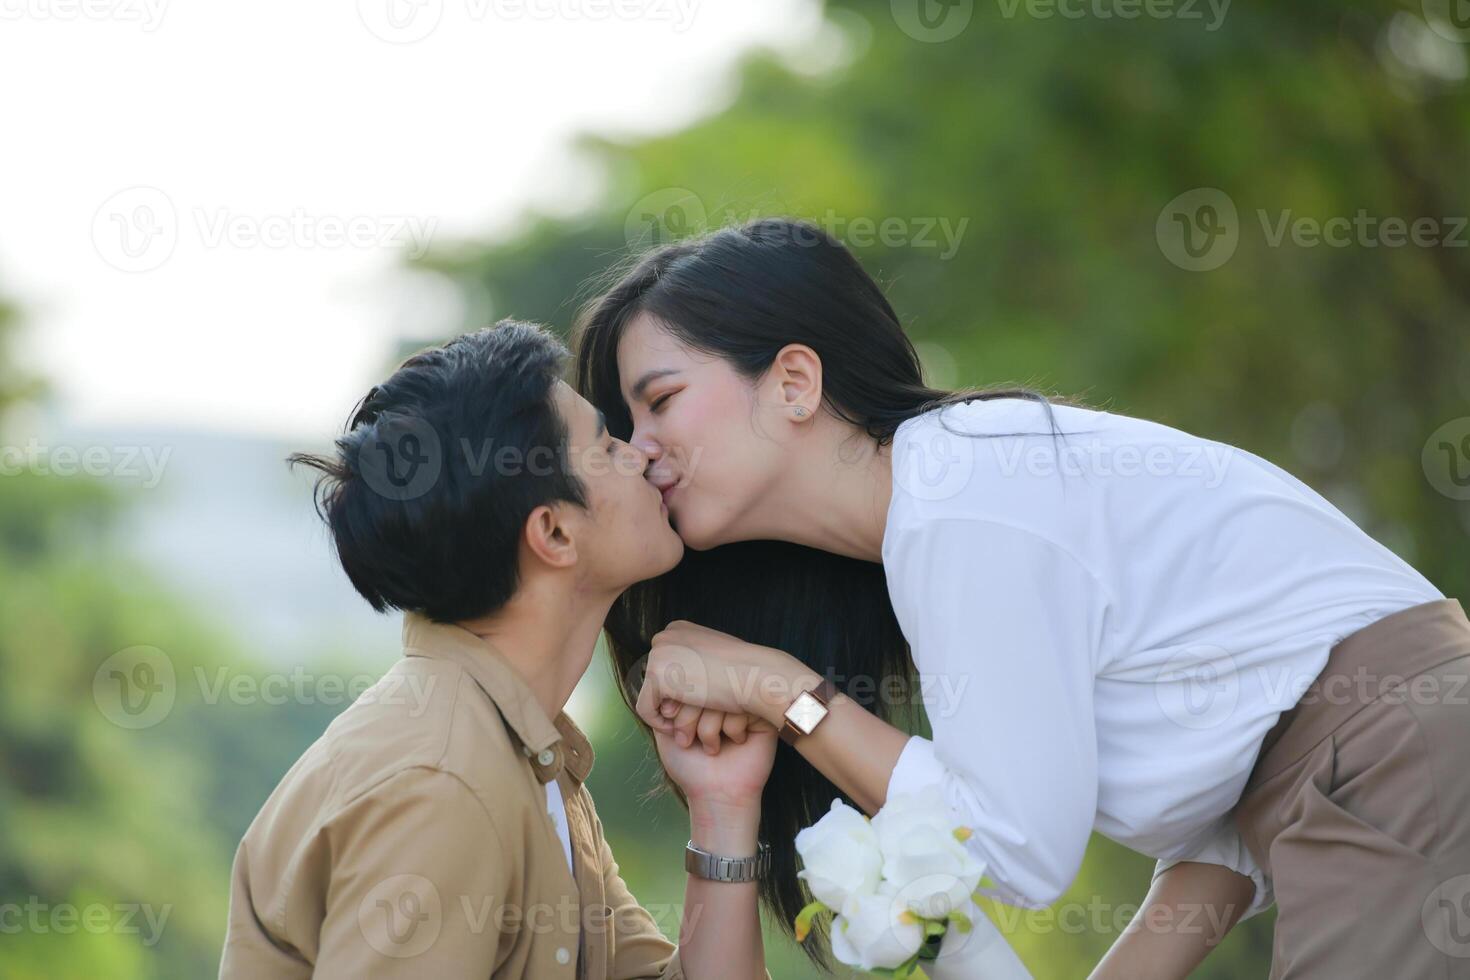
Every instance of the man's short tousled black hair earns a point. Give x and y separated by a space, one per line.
436 474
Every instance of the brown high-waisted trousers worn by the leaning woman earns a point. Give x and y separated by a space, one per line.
1359 807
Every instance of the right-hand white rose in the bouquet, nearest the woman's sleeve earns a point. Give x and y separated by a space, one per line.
925 860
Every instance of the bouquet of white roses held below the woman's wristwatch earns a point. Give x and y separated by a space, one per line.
902 890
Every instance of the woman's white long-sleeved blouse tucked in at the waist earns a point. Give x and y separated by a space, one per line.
1106 631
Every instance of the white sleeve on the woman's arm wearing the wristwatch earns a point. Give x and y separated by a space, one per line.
1005 628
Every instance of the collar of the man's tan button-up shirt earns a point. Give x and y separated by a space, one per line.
549 746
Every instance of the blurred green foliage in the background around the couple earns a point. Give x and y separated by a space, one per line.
1049 149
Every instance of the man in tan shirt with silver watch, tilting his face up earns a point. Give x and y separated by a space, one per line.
442 828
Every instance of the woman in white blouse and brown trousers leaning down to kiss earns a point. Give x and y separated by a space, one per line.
1112 625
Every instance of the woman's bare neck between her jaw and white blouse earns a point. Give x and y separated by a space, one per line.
836 497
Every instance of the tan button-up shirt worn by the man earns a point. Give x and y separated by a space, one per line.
414 841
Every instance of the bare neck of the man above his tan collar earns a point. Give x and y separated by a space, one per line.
548 633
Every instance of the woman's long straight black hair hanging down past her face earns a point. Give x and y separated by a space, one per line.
743 295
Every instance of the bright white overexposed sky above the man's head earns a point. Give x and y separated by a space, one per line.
207 203
